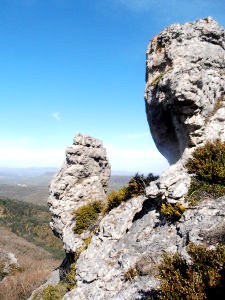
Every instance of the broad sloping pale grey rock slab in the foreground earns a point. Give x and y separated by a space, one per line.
131 239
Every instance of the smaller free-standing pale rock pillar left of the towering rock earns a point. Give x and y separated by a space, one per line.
83 178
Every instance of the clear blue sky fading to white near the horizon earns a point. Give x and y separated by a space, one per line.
69 66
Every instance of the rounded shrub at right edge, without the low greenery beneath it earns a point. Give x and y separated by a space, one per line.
208 162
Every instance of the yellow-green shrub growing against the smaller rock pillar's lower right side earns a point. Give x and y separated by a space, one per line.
86 216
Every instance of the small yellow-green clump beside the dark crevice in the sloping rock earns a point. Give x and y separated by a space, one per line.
172 211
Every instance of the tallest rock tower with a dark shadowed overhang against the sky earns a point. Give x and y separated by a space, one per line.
185 76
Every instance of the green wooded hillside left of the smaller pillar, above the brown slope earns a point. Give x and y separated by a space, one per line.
32 223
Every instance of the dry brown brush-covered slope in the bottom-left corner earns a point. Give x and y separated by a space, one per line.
35 265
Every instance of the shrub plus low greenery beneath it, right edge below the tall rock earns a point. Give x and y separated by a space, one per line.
208 166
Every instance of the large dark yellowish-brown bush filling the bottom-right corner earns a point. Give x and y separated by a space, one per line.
203 279
